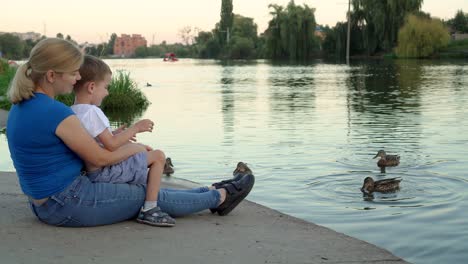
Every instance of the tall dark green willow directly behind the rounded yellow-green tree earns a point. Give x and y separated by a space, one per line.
381 21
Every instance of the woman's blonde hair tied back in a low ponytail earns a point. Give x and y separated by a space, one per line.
49 54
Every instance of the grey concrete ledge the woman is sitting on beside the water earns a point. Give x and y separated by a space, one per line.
250 234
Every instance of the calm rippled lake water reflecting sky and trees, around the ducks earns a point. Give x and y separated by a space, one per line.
309 132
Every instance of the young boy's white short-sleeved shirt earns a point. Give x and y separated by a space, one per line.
92 118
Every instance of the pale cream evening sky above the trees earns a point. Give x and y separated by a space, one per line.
94 21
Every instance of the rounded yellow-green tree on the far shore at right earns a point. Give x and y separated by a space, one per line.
421 37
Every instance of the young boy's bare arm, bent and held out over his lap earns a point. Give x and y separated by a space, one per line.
112 142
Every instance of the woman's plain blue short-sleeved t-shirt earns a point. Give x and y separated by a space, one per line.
44 164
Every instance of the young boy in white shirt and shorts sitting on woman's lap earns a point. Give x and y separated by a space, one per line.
89 93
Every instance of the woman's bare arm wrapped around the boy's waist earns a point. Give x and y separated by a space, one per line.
77 139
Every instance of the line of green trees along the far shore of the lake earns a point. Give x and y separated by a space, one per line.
384 27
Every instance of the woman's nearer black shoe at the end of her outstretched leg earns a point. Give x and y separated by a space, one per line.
236 191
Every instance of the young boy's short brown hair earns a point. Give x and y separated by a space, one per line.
92 70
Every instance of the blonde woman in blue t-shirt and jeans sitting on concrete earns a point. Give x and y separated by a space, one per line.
48 145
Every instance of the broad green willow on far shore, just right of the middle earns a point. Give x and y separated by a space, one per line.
290 33
